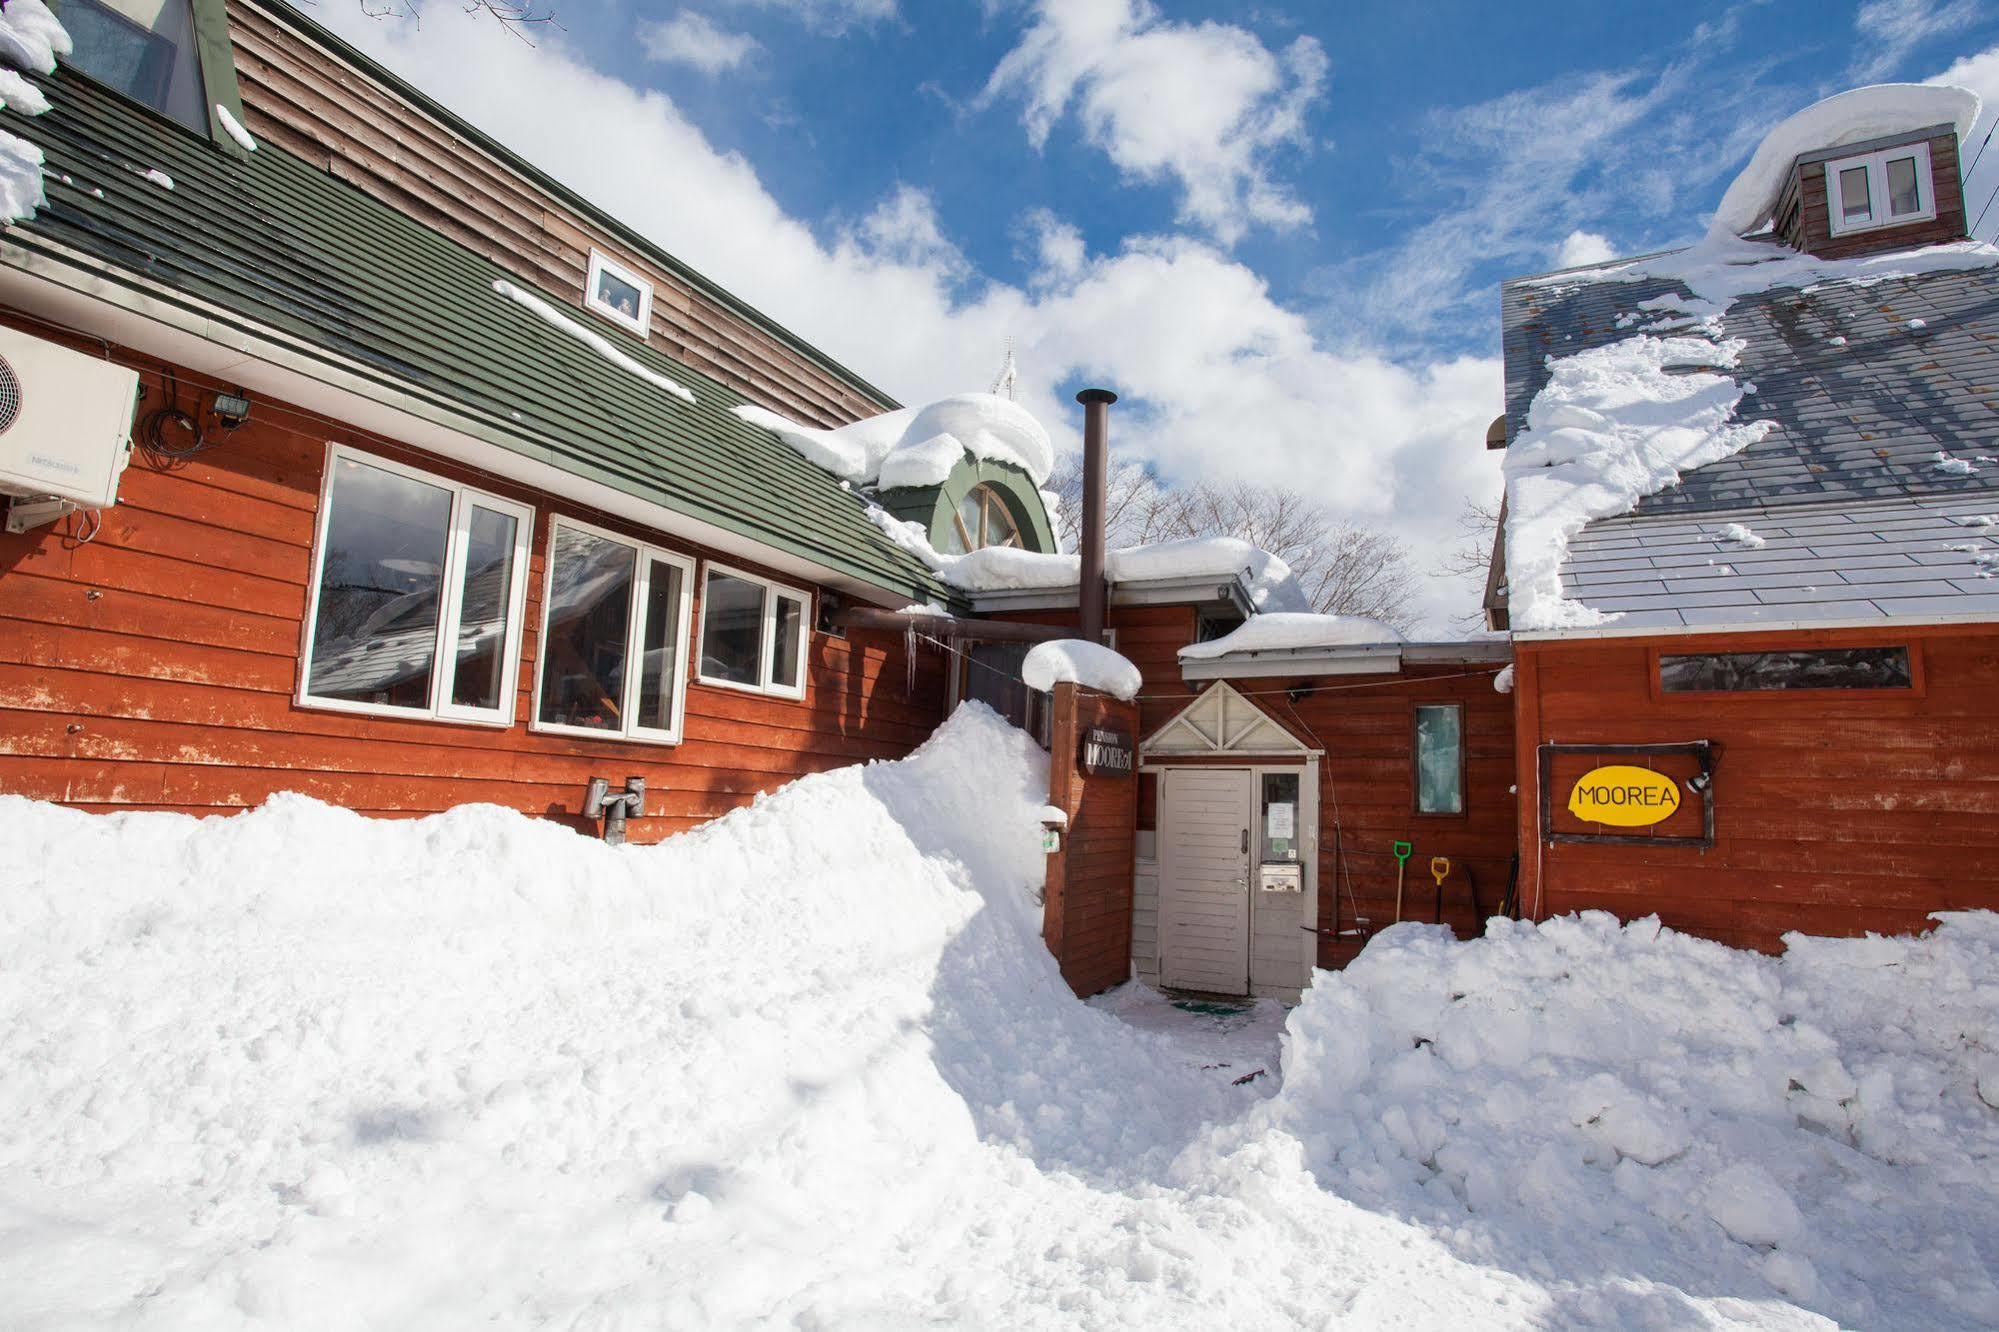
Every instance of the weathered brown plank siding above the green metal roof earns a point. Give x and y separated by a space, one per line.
309 105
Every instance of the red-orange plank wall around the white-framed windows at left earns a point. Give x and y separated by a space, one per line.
155 667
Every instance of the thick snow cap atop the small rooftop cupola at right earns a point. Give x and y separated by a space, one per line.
1844 119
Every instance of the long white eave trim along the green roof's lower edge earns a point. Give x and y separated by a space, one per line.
77 293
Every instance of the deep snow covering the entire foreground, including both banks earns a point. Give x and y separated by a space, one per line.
811 1067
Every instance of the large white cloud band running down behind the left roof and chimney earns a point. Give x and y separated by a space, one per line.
1216 377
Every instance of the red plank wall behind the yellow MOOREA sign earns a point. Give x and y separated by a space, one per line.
1834 813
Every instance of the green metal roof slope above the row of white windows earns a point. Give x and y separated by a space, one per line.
287 247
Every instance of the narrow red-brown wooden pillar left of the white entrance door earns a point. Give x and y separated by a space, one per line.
1086 915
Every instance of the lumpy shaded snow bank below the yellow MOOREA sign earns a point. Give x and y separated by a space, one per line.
1568 1097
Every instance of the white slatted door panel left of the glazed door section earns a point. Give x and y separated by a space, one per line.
1204 879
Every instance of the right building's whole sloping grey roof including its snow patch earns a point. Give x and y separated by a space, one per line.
1738 381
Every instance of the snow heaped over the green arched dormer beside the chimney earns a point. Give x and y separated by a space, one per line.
919 447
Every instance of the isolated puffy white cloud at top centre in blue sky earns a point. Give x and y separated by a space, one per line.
1200 105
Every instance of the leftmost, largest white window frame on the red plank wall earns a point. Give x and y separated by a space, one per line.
451 597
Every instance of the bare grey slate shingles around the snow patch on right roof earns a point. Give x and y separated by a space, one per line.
1866 387
